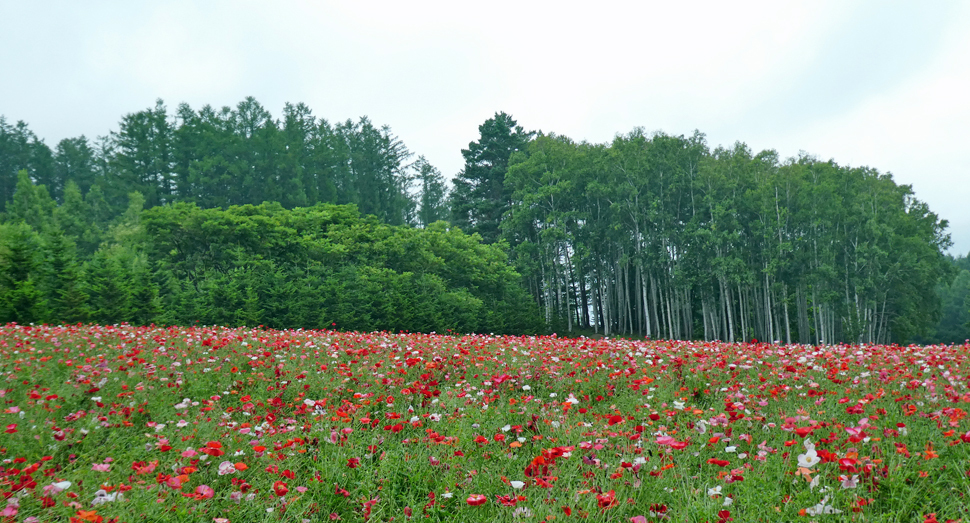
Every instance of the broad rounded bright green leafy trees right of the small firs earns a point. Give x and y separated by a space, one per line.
328 266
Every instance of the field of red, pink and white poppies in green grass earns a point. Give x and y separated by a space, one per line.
119 423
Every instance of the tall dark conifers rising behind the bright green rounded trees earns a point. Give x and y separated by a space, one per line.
231 156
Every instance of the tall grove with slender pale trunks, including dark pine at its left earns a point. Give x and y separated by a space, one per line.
662 236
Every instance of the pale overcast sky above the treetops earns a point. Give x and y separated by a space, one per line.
883 83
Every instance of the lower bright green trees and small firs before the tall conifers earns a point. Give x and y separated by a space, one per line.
325 266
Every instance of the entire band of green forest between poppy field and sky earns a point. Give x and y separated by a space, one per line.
233 217
